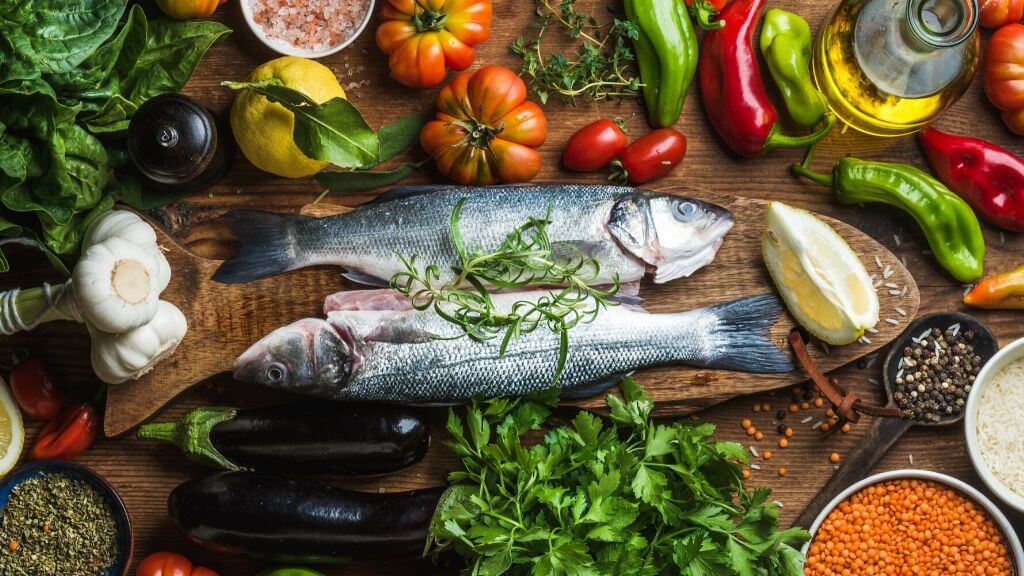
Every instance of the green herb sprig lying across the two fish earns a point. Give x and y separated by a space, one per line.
525 260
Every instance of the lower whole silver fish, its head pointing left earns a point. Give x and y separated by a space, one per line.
374 347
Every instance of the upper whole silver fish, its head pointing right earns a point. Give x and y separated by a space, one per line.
627 231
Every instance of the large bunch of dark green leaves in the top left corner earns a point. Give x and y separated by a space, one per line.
70 71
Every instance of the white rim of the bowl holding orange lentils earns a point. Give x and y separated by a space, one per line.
1009 536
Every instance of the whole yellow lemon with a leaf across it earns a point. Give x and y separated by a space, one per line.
264 130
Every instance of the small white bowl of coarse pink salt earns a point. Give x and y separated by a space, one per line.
310 29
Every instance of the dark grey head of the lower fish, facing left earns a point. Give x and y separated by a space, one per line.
307 357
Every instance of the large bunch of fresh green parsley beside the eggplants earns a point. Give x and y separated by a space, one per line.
591 500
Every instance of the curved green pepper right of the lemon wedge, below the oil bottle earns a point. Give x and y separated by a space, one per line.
949 223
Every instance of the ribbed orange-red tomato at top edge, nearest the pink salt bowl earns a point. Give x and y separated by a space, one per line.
424 38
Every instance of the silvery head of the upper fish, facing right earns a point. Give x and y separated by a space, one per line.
676 235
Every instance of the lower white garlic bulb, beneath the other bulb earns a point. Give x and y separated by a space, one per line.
133 354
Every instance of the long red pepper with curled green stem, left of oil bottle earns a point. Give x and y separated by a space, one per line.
734 92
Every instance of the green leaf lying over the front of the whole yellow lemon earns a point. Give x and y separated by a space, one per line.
333 132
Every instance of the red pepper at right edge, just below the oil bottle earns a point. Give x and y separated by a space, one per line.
990 178
